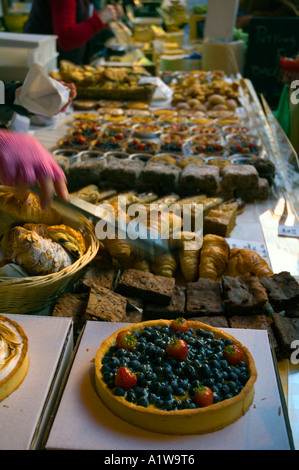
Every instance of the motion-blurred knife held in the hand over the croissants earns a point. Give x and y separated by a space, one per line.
144 245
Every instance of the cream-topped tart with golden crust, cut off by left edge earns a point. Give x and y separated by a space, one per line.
14 358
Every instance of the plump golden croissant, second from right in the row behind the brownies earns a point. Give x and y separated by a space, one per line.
213 257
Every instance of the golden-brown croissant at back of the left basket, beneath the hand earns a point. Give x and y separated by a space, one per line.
27 207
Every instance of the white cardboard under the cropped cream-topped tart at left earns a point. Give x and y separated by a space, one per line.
25 413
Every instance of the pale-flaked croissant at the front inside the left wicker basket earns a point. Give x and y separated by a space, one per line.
37 255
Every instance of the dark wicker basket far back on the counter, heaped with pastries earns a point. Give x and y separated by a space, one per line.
141 93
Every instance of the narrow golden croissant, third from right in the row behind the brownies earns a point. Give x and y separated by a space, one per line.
189 252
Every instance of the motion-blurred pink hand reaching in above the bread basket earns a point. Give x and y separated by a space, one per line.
24 162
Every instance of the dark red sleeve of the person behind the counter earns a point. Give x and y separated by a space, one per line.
71 34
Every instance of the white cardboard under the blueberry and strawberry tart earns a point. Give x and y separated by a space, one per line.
82 421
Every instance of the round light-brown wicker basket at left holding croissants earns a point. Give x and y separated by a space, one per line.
36 293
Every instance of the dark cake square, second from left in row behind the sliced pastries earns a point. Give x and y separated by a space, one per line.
122 173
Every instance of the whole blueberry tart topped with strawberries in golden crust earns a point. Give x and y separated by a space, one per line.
161 401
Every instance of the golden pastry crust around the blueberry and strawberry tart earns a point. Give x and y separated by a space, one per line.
187 421
